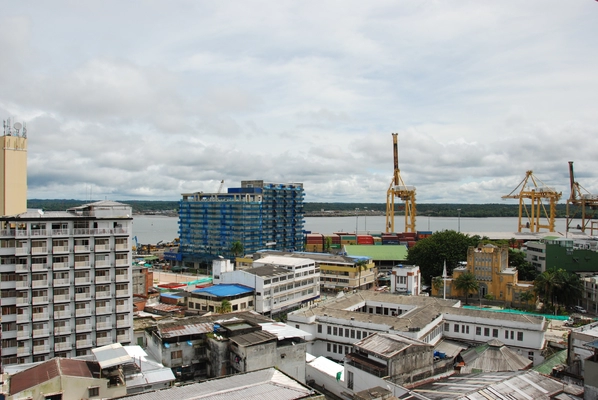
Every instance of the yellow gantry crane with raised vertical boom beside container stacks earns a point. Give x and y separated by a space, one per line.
399 190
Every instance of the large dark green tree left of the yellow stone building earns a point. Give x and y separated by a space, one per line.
429 253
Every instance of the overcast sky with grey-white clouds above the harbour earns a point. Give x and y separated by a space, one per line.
148 100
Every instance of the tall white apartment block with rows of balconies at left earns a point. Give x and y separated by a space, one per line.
66 281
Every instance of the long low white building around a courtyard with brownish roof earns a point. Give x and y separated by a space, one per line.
337 324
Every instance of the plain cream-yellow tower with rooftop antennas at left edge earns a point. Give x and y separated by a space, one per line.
13 169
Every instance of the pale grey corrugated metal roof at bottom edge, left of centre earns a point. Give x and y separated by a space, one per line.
258 385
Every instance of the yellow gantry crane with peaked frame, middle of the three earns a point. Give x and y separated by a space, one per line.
536 191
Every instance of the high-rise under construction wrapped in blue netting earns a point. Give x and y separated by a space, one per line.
258 215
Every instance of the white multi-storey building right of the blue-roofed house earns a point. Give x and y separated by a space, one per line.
280 283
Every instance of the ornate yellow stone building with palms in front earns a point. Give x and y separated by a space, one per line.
490 266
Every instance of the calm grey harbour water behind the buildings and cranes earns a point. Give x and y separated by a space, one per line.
154 228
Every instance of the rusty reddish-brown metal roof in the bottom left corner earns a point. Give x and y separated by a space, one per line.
51 369
